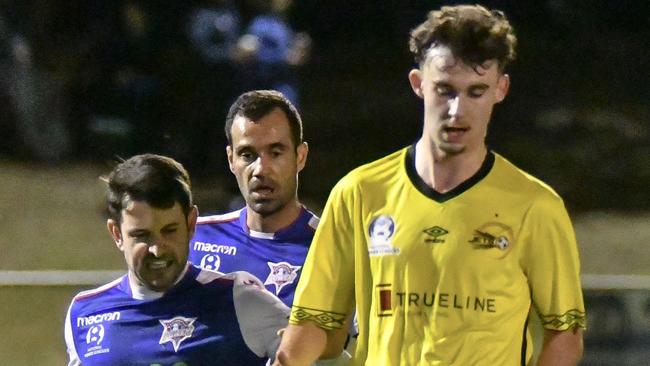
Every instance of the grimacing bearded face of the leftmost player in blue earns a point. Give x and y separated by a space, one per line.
155 242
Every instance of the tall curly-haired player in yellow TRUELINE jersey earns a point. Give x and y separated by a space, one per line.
445 248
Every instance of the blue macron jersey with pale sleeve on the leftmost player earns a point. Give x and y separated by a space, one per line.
207 318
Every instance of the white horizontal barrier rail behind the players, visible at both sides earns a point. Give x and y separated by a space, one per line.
82 278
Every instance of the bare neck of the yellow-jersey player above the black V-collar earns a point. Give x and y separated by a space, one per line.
444 172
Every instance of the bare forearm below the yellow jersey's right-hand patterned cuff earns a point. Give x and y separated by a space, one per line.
561 348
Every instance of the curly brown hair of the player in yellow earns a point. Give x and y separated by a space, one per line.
473 33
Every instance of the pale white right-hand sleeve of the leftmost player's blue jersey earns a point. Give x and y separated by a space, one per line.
260 314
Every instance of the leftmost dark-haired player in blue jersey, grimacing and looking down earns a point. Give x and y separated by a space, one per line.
165 311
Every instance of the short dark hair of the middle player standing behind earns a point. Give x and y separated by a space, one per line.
256 104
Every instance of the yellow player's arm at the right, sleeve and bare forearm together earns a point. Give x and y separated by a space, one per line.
552 266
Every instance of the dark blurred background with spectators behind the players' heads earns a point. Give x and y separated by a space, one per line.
95 79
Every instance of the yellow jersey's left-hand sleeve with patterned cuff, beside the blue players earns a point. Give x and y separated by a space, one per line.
325 293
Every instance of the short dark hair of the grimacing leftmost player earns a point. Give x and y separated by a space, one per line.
157 180
